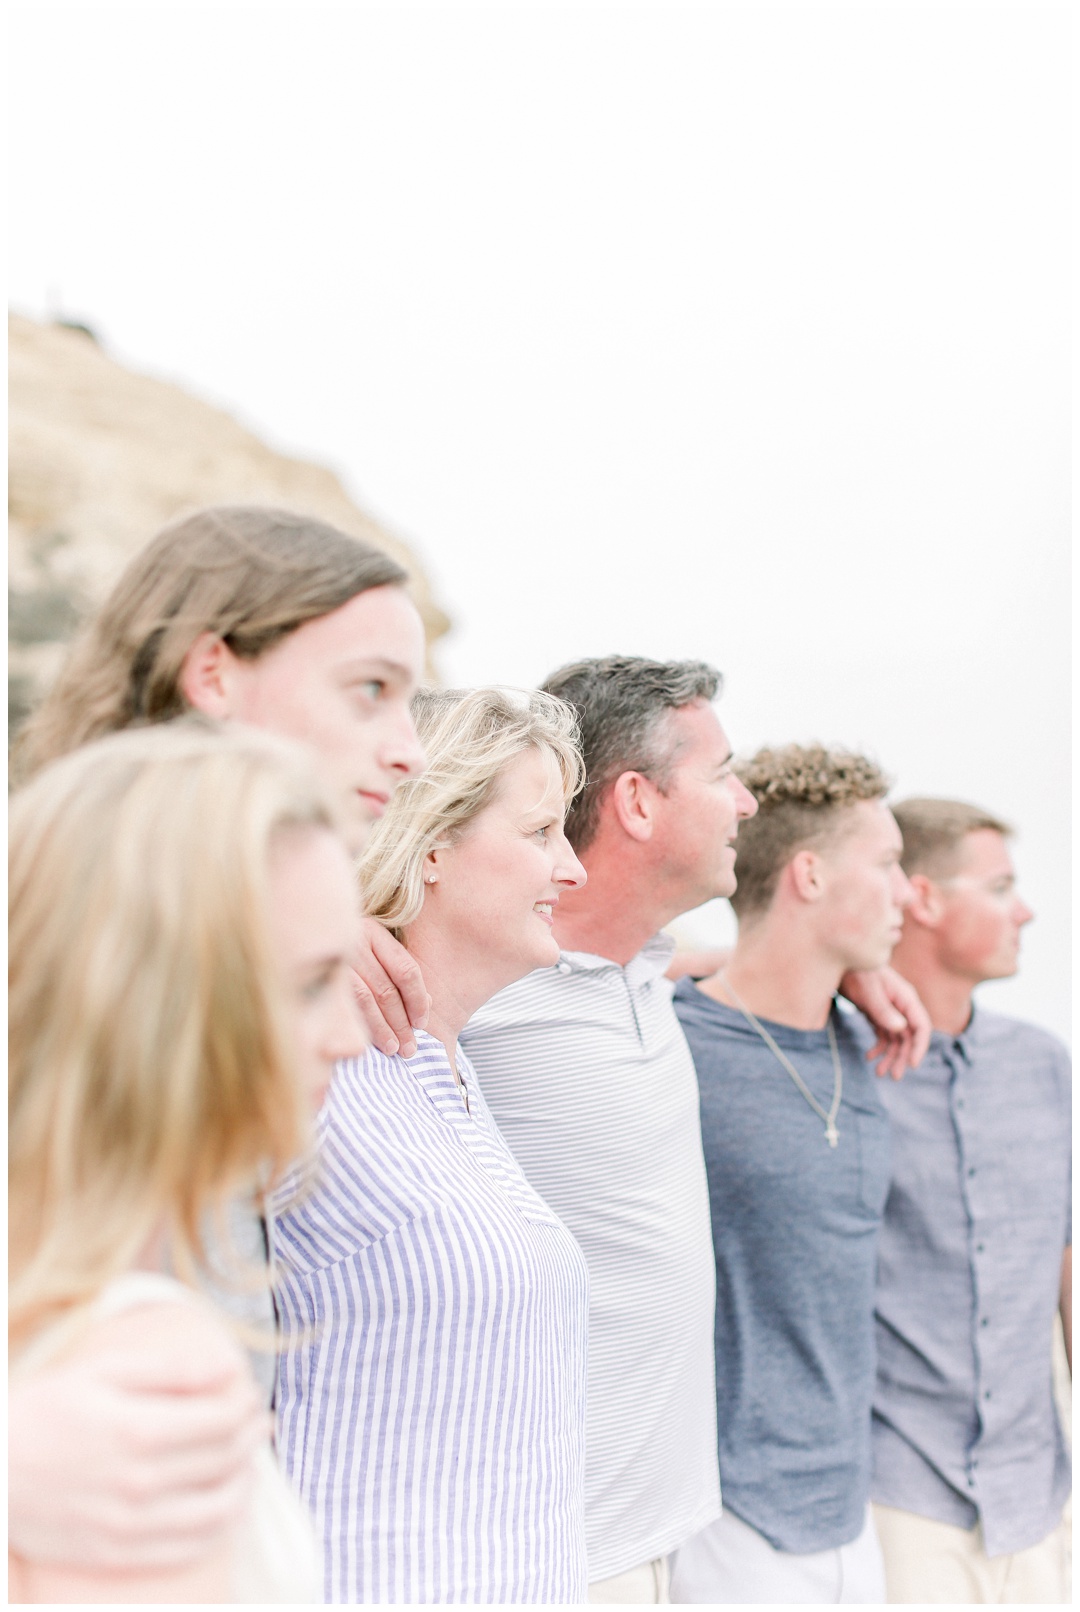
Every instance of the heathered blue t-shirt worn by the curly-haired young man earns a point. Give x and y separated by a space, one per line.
795 1232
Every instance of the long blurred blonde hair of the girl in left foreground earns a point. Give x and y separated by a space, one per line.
151 1071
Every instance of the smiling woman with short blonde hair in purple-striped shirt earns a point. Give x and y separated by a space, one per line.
431 1410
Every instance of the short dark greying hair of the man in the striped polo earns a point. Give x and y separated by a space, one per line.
623 704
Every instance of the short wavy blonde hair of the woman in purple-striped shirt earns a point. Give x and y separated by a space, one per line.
470 736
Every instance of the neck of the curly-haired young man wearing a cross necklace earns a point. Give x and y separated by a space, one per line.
779 974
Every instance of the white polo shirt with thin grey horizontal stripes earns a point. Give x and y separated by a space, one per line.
592 1086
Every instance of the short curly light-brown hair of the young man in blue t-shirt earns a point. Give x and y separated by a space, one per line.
802 794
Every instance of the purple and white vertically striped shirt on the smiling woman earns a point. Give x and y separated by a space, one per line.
431 1397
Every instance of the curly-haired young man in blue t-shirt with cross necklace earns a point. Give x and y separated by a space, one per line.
797 1153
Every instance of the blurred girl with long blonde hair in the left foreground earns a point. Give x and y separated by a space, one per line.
180 929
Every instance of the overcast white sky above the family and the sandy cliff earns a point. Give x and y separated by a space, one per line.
720 331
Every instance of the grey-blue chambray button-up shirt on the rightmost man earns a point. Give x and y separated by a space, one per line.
976 1226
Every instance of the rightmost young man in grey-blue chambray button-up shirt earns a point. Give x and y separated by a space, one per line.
971 1471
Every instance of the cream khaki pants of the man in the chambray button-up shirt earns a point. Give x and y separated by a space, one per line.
934 1563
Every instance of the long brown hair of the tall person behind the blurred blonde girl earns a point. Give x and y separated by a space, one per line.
249 575
